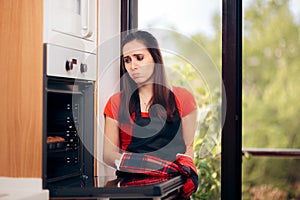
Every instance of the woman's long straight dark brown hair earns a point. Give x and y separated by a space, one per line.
129 89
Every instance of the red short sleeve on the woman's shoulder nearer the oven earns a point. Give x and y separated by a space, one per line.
112 106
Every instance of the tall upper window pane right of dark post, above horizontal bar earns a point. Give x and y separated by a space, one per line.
271 74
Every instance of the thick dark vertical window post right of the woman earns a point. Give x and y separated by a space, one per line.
231 141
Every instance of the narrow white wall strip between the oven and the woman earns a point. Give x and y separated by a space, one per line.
108 61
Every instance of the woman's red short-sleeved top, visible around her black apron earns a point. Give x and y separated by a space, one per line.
185 102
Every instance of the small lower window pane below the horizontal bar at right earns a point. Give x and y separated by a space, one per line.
271 178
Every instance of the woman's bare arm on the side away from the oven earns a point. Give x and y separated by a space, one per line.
189 126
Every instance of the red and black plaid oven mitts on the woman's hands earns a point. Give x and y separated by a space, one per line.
156 167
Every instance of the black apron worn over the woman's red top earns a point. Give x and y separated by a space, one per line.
156 136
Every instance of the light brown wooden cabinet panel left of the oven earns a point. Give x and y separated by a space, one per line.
21 83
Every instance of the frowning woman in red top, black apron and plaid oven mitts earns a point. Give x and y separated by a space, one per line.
148 122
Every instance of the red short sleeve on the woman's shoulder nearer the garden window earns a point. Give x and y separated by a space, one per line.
185 101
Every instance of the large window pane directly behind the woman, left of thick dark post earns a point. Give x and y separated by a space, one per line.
189 34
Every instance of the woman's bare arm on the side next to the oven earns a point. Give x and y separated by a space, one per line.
111 142
